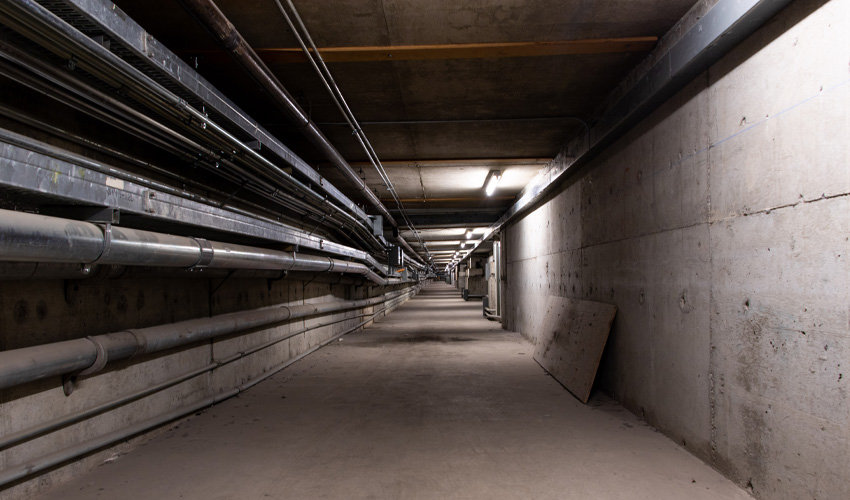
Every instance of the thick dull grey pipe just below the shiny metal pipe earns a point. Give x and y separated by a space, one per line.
28 364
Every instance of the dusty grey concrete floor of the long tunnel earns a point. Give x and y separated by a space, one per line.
433 402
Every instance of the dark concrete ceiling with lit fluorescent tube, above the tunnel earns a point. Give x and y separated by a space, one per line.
439 124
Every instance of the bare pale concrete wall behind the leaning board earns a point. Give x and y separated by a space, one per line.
720 227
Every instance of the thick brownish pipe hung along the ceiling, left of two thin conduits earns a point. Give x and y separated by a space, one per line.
211 17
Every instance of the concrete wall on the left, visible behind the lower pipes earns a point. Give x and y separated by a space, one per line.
43 311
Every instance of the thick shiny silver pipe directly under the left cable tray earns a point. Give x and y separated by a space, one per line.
26 237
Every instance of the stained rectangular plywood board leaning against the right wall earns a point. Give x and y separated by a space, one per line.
571 342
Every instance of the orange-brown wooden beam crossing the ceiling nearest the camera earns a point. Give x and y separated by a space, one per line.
454 51
